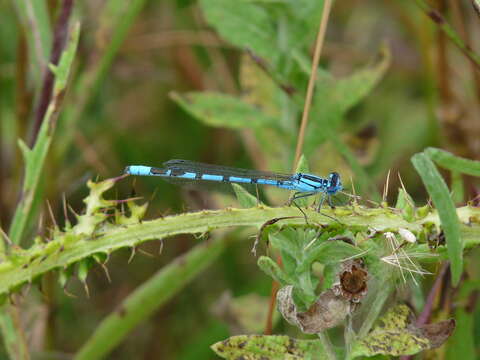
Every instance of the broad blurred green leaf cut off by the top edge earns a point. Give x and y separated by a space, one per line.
244 24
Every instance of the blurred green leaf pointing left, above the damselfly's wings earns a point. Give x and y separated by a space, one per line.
220 110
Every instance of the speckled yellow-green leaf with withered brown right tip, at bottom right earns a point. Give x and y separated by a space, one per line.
396 334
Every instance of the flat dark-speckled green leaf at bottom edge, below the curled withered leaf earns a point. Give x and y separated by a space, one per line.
271 347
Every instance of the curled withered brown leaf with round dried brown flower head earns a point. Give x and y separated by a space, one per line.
333 305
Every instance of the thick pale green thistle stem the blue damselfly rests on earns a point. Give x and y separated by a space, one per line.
69 247
